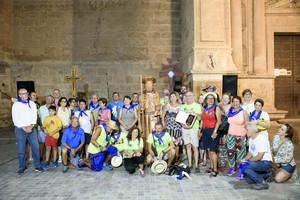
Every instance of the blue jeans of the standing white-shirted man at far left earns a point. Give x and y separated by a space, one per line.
21 137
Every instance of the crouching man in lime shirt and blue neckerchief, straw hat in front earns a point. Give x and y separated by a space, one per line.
162 144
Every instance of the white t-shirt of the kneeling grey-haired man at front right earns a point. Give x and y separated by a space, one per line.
260 144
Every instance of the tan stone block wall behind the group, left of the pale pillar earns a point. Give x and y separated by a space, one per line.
112 43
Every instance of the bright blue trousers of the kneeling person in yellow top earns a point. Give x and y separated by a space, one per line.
98 159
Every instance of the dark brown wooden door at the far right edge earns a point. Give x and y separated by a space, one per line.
287 88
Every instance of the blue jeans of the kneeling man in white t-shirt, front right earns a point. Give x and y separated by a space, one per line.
257 171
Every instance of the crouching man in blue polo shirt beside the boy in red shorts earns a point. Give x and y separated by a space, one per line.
72 141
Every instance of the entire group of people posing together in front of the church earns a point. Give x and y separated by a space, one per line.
227 130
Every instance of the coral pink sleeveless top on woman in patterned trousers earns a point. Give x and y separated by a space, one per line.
237 125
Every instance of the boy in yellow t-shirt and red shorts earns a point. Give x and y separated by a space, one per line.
52 125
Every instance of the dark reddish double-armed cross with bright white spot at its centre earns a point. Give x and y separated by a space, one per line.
170 67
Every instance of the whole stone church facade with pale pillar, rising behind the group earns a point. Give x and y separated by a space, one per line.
113 42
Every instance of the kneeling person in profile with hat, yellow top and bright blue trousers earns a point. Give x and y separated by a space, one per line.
99 151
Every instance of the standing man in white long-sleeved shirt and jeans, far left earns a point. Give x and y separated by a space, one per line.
24 115
